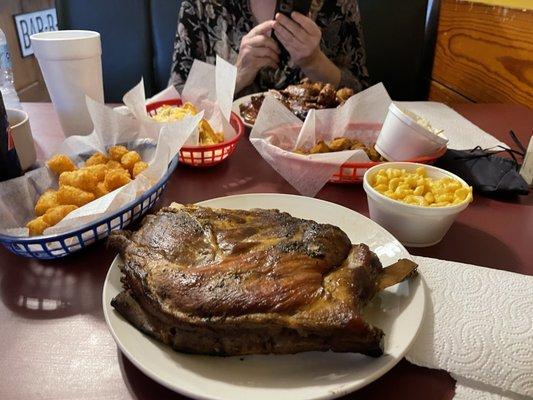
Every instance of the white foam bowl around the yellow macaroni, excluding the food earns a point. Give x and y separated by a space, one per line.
414 226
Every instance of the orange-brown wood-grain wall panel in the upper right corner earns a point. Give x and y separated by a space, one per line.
485 53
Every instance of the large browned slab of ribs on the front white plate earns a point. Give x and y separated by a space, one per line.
234 282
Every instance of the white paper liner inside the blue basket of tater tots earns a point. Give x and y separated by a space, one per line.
156 146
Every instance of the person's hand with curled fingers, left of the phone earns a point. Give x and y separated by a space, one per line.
257 50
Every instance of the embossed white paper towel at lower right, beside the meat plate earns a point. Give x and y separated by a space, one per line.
479 327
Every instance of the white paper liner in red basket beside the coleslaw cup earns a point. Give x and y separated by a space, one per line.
277 132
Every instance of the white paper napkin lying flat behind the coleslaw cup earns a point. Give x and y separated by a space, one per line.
462 134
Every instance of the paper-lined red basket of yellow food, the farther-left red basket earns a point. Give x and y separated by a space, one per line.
208 92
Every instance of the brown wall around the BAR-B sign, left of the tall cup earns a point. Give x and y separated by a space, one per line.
28 79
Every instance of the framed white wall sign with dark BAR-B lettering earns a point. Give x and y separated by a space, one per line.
29 23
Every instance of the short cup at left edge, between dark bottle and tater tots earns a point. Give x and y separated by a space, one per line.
19 125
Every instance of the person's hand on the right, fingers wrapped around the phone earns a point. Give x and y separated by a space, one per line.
300 36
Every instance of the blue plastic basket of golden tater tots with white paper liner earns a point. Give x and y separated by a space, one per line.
90 186
